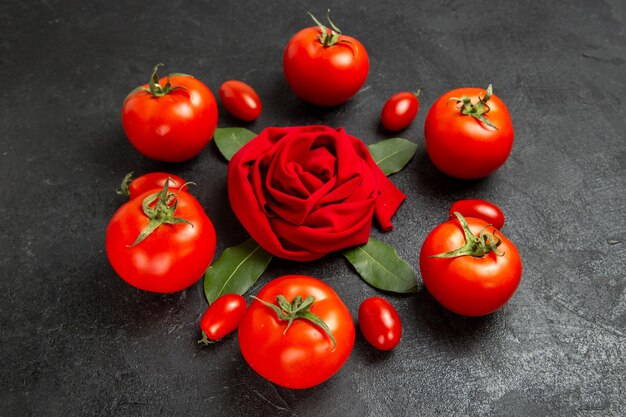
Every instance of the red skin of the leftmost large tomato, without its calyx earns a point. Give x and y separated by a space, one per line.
172 258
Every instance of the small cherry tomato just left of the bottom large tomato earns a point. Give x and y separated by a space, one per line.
222 317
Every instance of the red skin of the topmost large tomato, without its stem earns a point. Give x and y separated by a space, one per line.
325 76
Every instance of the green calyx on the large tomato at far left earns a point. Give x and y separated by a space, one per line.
165 203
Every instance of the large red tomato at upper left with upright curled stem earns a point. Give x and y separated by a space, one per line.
171 119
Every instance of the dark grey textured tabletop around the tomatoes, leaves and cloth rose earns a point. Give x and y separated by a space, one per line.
76 340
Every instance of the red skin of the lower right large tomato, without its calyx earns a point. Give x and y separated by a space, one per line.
468 285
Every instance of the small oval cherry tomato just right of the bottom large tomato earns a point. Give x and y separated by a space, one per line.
380 323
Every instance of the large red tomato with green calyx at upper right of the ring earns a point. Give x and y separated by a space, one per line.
468 133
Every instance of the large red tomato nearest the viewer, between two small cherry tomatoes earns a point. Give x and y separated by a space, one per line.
303 354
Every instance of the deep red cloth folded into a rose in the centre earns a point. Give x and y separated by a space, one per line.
303 192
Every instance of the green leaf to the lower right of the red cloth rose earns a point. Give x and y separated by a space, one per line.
380 266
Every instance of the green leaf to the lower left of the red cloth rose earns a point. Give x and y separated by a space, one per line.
236 270
